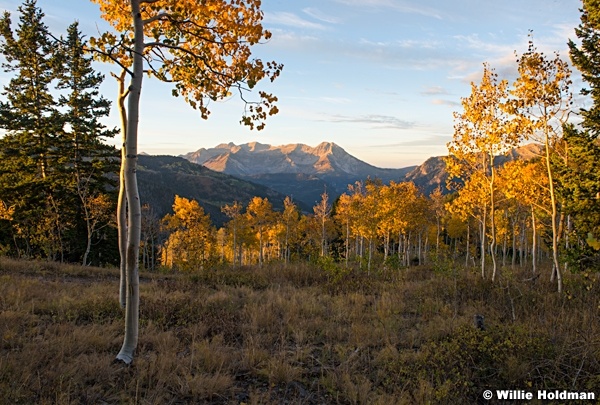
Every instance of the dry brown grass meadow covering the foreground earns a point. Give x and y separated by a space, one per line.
292 335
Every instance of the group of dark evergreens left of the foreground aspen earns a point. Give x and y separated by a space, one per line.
56 174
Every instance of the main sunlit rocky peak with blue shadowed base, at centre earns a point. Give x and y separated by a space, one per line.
298 170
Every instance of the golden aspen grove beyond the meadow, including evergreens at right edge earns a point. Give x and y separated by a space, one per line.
523 212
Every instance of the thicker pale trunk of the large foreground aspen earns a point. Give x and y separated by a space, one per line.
133 201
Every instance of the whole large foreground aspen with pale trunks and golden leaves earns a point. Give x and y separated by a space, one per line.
204 49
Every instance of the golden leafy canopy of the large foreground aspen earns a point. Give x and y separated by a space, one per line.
201 47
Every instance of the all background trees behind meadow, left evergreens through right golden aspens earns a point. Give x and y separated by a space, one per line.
57 177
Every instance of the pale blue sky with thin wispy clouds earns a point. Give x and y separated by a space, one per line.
380 78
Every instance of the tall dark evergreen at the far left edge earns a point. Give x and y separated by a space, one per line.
29 116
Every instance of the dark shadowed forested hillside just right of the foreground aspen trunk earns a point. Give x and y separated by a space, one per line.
160 178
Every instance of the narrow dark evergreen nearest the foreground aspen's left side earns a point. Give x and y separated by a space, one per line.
84 158
